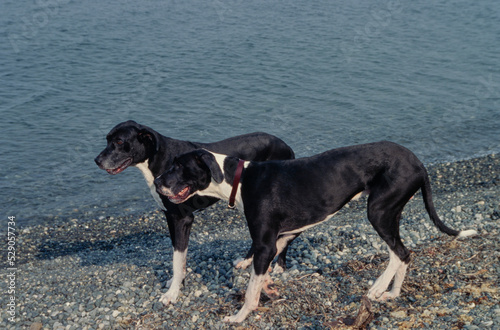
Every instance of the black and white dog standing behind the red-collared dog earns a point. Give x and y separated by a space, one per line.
132 144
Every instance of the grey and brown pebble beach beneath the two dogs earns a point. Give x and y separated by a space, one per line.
108 273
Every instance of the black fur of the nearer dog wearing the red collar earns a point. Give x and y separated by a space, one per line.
281 197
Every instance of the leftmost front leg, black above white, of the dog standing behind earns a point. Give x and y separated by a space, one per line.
179 234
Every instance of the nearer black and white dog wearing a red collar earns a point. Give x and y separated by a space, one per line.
281 199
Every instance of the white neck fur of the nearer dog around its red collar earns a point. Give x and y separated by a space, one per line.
223 190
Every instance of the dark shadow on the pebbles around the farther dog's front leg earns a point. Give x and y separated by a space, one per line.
150 250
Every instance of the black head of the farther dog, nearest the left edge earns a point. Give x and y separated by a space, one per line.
129 143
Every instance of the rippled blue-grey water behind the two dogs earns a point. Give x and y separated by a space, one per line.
319 74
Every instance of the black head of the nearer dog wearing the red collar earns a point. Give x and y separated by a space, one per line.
190 173
